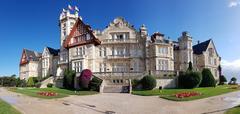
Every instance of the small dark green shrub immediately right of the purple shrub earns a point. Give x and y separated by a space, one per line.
95 84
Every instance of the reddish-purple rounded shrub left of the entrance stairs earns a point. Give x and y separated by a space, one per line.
85 78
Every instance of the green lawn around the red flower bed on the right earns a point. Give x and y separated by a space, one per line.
170 93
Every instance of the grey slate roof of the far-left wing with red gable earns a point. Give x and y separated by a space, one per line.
32 55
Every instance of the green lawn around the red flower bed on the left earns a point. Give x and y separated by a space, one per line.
60 92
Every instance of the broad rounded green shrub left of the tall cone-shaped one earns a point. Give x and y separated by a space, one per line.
189 79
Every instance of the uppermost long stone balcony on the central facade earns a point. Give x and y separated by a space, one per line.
117 41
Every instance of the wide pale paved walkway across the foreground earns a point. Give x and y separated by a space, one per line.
109 103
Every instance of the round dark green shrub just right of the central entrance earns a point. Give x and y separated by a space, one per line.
148 82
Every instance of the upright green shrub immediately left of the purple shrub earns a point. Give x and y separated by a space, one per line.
68 80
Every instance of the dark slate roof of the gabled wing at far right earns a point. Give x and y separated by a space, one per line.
201 47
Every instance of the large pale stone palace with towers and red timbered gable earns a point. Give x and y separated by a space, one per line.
118 53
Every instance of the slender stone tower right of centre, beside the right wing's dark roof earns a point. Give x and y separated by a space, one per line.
186 51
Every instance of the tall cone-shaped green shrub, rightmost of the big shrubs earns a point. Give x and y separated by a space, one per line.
207 79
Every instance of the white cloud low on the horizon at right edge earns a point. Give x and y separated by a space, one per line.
231 68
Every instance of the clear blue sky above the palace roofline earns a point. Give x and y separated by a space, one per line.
33 24
